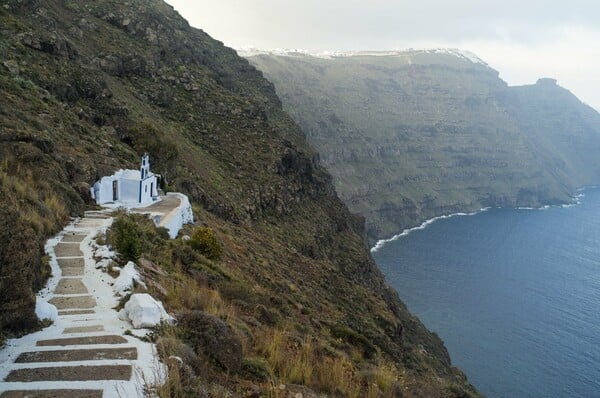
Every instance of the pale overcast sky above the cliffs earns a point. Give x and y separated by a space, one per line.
522 39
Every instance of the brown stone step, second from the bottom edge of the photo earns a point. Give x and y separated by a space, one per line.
71 373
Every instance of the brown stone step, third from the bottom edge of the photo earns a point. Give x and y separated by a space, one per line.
77 355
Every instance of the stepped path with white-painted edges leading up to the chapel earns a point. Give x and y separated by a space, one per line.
86 352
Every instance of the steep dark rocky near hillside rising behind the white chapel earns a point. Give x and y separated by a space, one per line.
87 86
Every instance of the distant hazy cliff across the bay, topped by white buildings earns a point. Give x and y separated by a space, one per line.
413 135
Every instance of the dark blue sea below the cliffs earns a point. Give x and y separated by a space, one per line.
514 294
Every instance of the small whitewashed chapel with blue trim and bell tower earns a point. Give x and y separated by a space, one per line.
130 188
